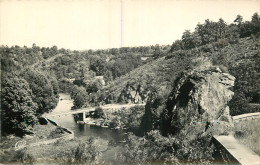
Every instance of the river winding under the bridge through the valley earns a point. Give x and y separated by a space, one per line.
85 131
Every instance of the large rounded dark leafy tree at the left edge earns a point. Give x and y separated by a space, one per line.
18 108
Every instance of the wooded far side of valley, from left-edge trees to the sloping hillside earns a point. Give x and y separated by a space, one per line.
44 72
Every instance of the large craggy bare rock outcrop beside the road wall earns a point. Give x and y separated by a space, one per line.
200 100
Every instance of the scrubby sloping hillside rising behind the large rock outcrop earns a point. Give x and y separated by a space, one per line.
160 74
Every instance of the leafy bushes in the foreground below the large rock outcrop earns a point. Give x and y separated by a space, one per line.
154 147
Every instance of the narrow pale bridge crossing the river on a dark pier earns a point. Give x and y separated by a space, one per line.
106 108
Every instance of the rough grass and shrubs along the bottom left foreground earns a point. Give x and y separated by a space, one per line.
73 151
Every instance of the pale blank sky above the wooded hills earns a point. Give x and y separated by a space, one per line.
101 24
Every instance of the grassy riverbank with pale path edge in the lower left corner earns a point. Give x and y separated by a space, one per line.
17 150
